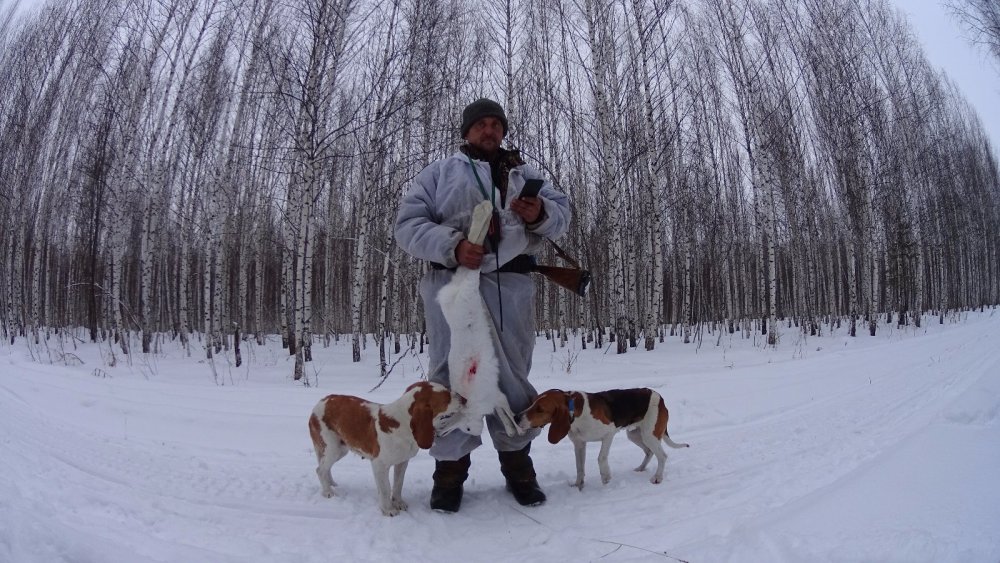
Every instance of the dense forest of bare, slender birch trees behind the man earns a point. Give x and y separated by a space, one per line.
218 172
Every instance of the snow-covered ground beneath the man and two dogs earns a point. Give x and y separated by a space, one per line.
824 449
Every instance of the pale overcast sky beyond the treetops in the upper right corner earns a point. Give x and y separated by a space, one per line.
975 74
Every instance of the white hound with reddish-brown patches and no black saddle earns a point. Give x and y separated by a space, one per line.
389 435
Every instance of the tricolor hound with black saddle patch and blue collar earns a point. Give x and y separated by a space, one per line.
593 417
